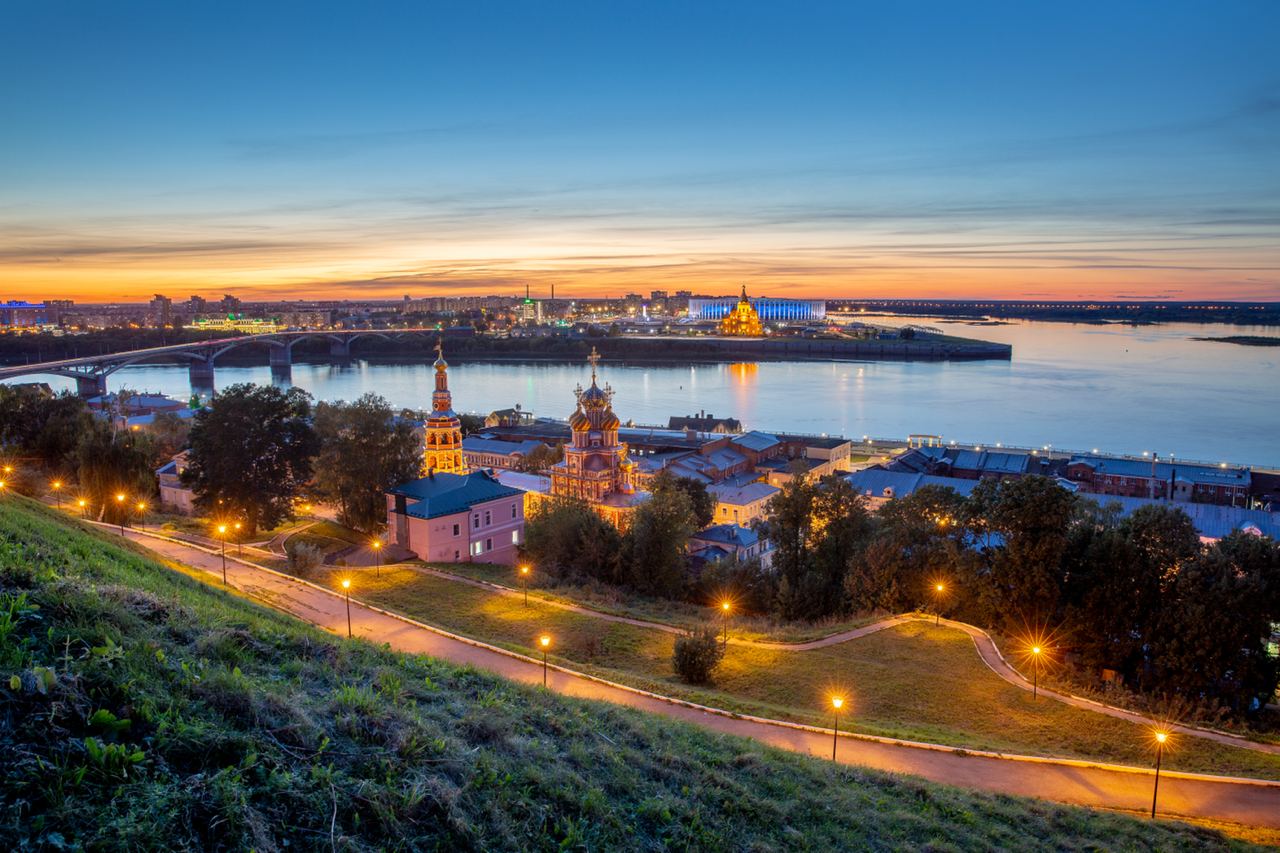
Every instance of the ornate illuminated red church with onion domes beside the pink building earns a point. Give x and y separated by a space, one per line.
596 467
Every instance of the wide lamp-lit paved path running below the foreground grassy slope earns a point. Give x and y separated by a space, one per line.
1249 802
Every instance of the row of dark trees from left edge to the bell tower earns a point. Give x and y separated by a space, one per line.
253 453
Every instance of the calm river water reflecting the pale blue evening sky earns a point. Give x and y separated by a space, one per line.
1118 389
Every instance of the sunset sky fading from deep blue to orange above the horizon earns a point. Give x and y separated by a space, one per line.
860 149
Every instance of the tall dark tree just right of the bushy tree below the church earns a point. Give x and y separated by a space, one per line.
656 544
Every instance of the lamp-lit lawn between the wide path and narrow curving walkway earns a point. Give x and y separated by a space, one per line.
915 682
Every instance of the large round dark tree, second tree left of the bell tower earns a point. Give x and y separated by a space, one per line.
252 454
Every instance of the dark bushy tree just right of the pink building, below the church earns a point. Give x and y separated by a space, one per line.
566 539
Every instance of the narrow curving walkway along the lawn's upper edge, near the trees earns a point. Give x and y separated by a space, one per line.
988 651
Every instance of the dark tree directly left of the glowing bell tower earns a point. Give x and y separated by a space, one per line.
365 450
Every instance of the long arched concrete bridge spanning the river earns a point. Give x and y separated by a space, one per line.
92 372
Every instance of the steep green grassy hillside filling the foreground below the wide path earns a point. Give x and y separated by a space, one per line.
144 710
